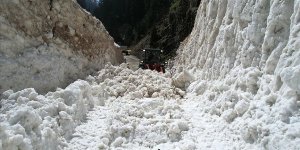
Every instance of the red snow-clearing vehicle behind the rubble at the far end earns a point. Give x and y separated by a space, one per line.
151 59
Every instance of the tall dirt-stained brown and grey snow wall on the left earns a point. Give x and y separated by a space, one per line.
48 43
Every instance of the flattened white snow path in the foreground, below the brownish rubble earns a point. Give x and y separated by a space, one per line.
203 131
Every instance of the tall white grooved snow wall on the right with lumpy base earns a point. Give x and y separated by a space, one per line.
246 56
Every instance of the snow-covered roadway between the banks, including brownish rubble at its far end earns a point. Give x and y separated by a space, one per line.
144 110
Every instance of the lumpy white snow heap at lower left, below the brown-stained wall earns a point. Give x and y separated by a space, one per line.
33 121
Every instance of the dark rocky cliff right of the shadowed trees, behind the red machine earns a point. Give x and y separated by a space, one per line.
174 28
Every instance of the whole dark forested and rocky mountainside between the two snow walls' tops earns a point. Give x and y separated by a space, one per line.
147 23
